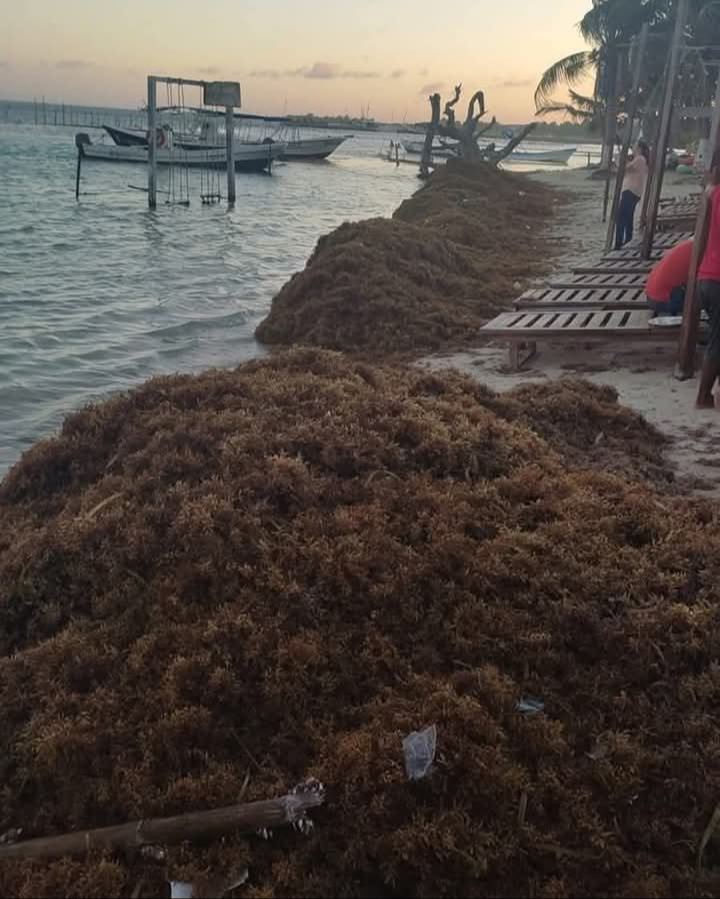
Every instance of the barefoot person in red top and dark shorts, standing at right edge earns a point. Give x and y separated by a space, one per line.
709 287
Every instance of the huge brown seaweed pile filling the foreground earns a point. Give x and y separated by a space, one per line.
220 585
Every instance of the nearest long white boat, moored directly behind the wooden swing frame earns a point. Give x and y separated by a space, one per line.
256 157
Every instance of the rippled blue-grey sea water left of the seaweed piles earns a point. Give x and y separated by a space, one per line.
98 295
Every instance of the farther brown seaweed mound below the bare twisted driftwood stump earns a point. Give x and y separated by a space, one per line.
429 278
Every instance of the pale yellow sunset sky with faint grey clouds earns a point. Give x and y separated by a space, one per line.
295 56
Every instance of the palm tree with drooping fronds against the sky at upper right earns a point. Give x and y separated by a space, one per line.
608 27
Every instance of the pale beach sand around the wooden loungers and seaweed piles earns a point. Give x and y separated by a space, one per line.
641 373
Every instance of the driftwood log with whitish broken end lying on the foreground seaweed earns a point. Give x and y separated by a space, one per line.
246 818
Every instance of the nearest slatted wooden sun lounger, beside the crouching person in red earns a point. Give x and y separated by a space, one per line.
523 328
